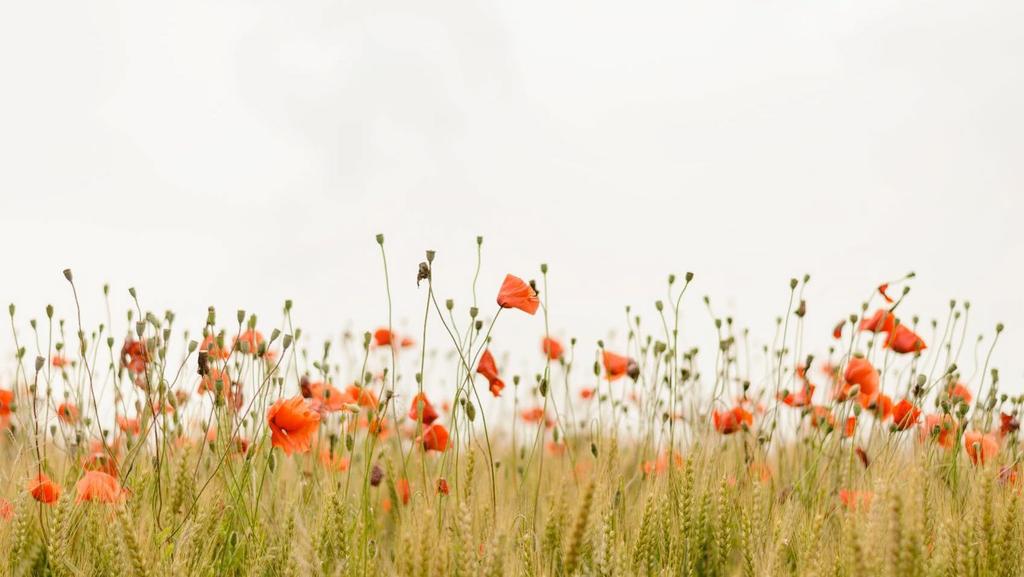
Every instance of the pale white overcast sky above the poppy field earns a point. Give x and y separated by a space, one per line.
238 154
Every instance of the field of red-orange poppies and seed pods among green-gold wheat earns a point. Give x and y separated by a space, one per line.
136 446
